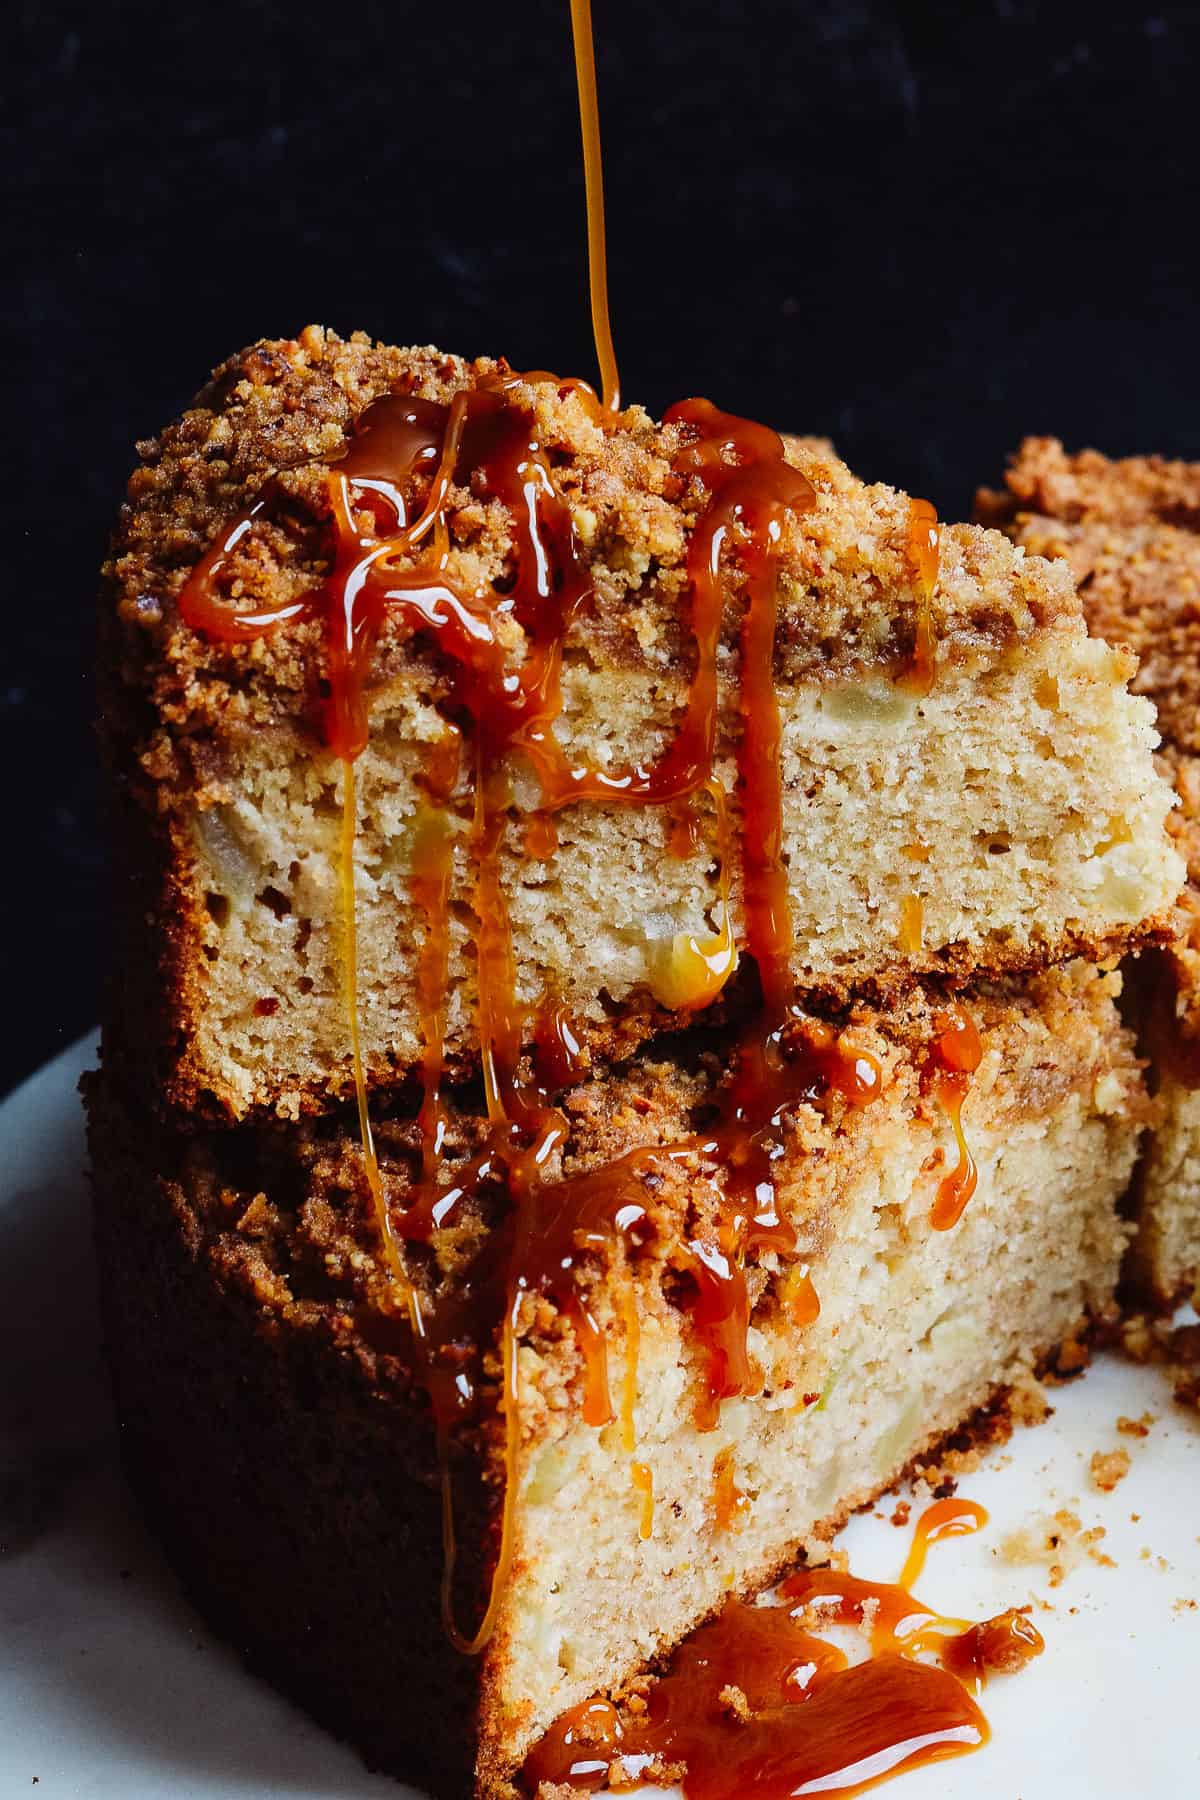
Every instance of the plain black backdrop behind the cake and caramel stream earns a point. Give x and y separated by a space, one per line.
922 229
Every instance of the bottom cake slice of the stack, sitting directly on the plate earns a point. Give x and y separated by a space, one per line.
692 1390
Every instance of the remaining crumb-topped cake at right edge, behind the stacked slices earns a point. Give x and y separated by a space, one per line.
1131 532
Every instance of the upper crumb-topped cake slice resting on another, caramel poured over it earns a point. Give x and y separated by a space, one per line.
578 699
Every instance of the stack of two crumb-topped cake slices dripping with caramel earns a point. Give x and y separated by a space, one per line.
614 1047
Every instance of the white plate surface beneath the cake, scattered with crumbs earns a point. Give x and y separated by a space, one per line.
112 1691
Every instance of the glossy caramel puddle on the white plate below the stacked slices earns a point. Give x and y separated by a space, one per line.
760 1702
